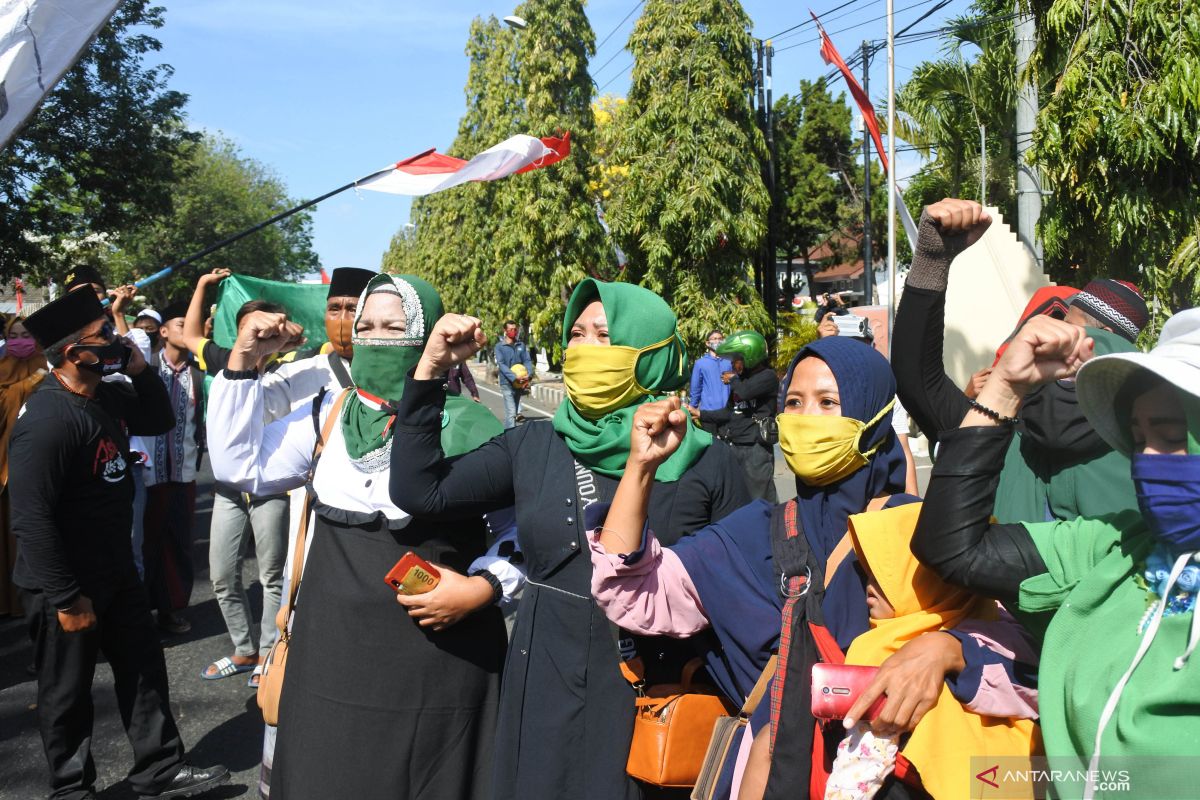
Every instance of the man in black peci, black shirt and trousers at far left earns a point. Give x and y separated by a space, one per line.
73 506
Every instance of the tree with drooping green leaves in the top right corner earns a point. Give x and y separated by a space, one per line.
1119 142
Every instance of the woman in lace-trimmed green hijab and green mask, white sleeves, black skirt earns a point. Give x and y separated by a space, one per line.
377 703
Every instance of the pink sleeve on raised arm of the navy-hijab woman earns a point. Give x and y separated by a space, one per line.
649 592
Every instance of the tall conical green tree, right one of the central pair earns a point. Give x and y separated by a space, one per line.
692 214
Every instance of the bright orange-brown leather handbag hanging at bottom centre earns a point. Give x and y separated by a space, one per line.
673 729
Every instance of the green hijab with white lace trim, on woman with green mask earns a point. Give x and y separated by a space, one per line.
380 369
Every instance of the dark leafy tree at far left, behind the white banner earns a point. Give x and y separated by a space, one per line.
100 157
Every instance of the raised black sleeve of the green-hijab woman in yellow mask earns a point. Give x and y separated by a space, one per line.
424 482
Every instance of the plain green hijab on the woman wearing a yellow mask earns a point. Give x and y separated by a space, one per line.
638 318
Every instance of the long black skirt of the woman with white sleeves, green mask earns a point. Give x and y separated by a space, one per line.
417 708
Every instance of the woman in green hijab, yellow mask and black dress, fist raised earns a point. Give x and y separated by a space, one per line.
567 714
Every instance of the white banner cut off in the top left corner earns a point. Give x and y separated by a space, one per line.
40 40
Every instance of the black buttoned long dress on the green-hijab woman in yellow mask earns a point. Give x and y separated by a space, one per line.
566 714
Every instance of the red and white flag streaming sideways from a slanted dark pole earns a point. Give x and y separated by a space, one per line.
434 172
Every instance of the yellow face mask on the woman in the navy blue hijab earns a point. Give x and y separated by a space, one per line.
823 450
